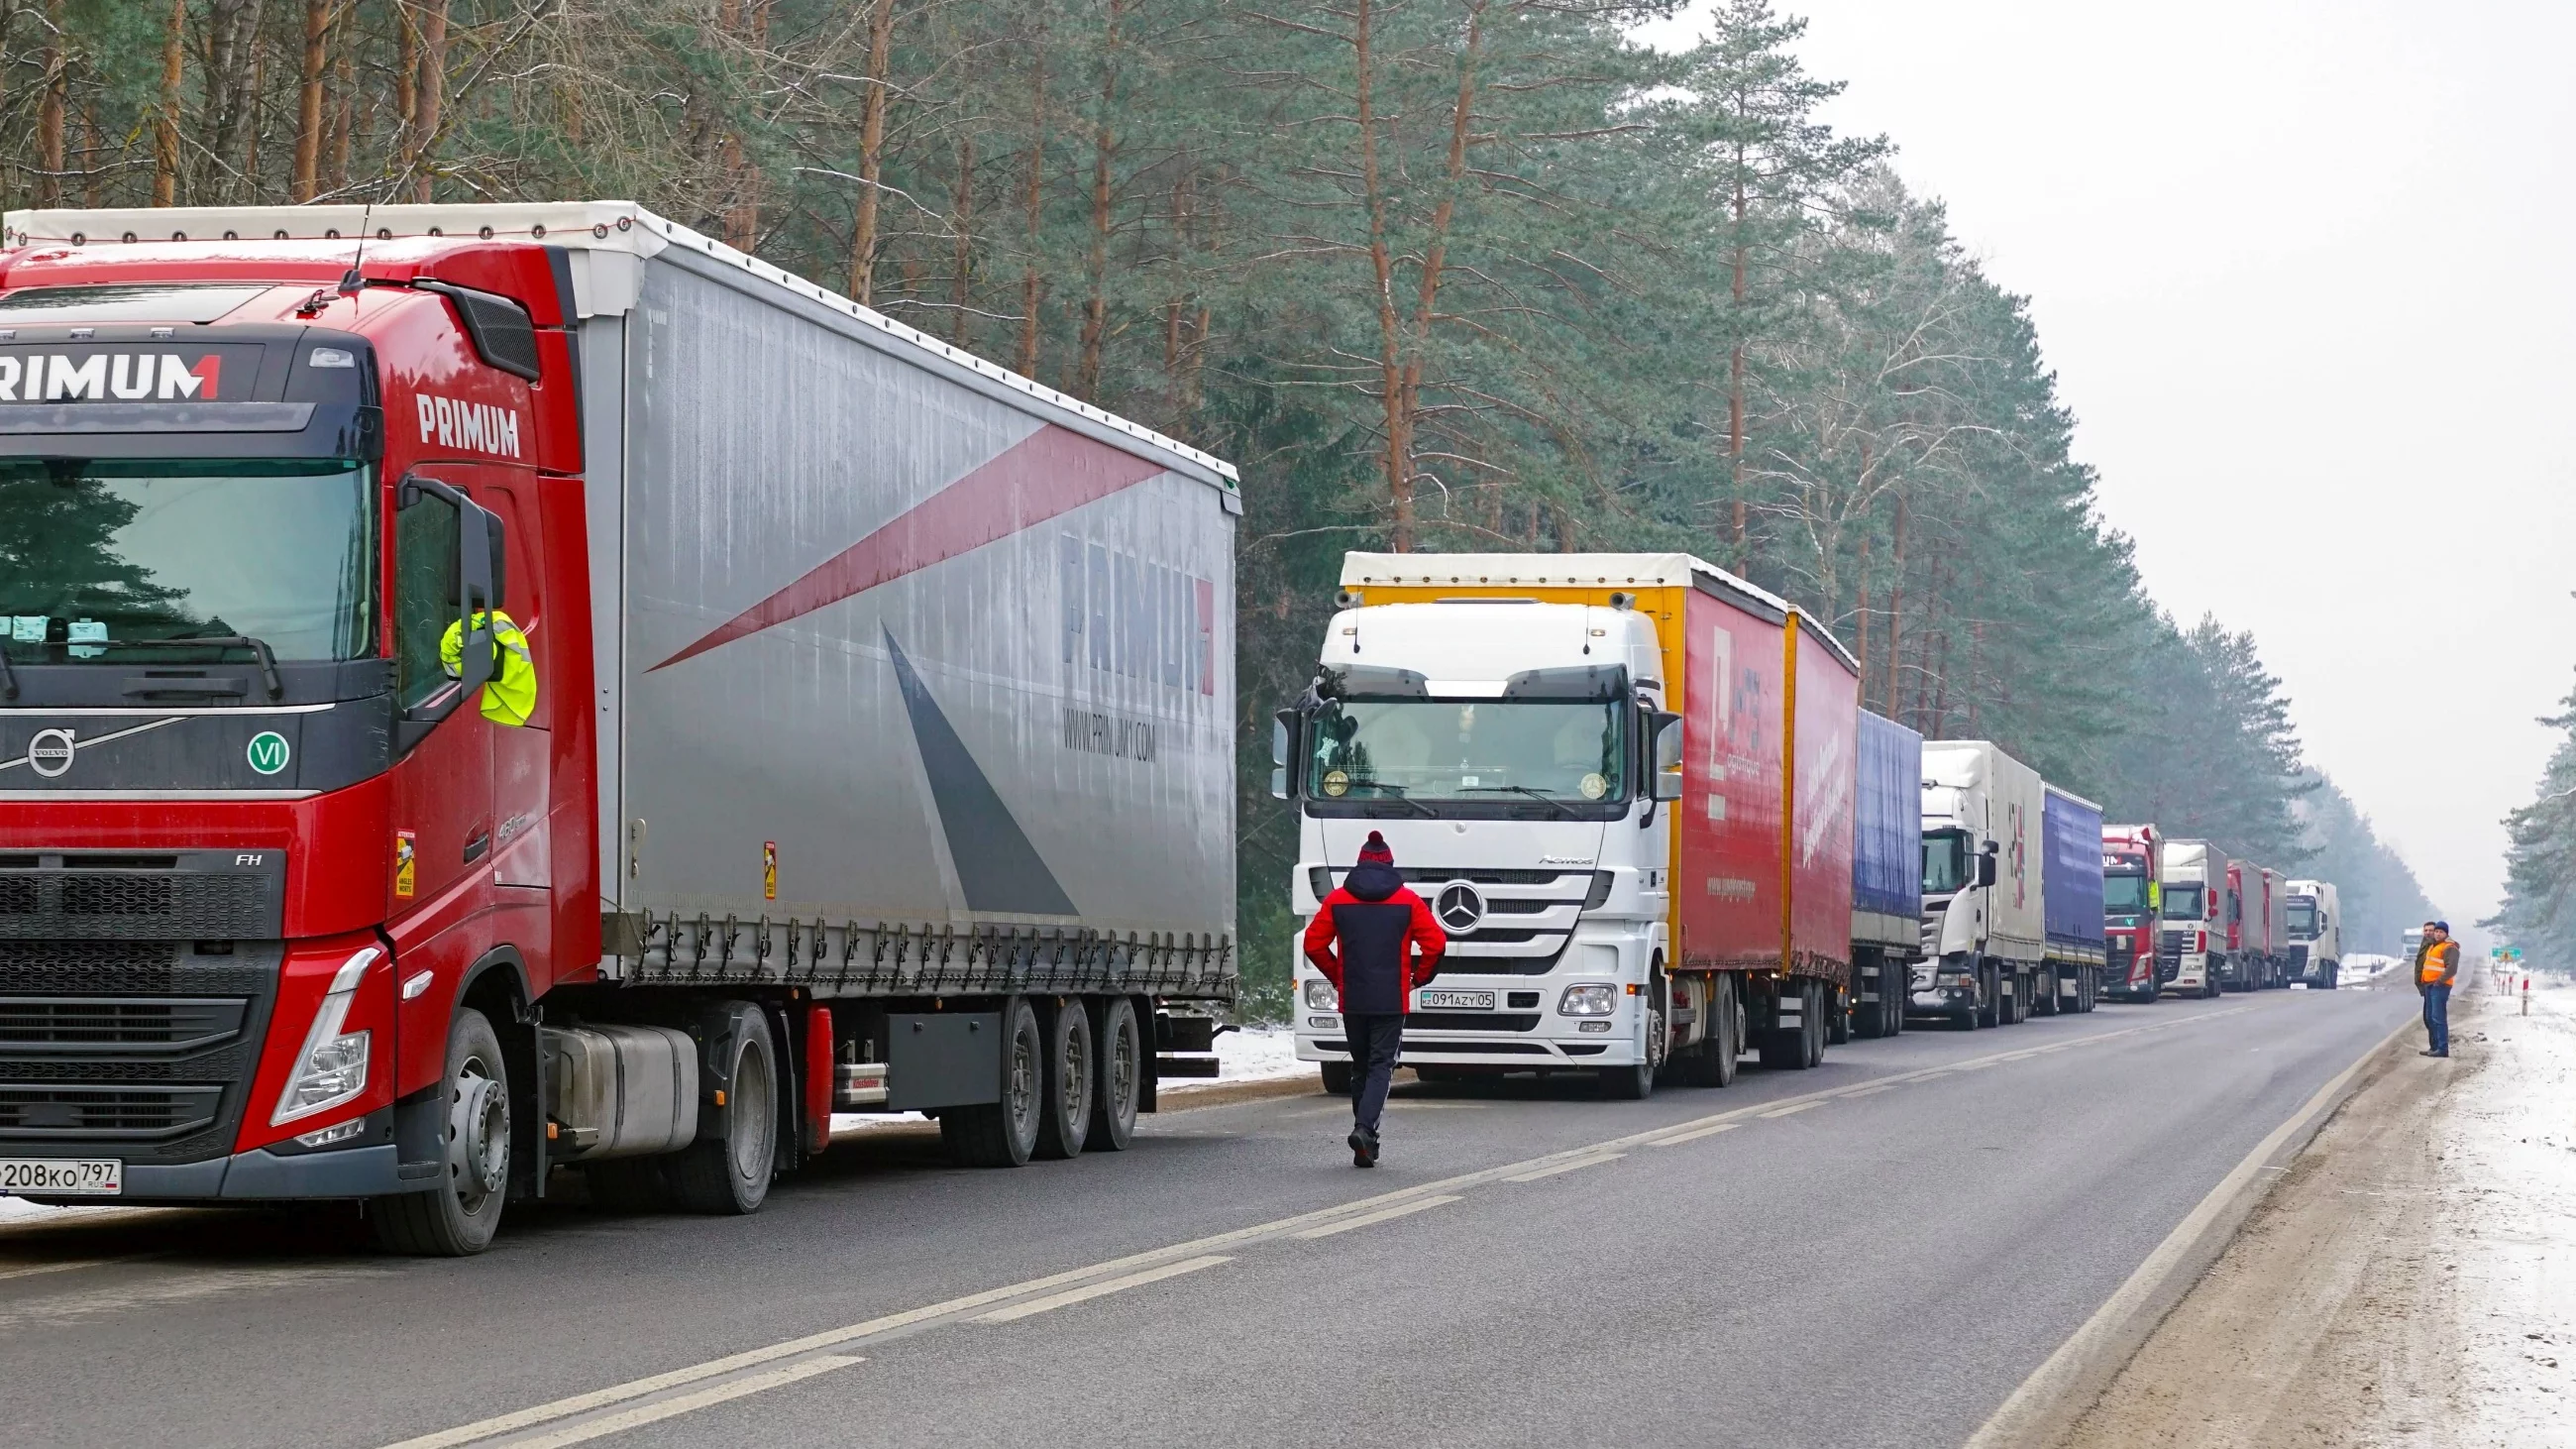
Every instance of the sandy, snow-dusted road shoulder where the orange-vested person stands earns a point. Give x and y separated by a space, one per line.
2405 1283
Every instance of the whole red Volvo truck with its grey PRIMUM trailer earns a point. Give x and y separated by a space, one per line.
483 703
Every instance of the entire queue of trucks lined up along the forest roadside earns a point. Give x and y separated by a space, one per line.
532 687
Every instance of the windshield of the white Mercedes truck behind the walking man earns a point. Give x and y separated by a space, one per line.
1467 749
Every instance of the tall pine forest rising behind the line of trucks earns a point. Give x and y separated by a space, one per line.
1436 275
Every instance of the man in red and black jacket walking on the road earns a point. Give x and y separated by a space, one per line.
1390 945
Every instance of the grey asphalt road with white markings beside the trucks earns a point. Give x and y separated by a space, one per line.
1874 1252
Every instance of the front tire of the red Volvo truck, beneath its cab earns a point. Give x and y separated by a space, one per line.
460 1216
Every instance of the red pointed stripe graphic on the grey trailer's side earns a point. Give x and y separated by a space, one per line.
1047 473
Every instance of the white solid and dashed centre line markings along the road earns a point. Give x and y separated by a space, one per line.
1261 1231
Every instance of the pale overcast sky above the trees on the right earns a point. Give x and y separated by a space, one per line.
2307 275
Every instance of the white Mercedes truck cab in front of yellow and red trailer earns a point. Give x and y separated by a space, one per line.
1506 749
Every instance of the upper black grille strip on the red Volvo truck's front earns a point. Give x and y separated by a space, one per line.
202 896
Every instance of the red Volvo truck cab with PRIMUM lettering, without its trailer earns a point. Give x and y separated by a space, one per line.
243 767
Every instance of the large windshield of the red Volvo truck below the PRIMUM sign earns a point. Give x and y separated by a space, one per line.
104 550
